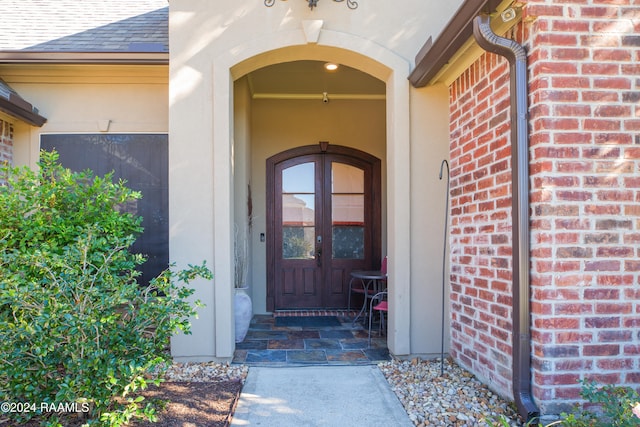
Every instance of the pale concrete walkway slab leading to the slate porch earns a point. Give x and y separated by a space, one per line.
318 396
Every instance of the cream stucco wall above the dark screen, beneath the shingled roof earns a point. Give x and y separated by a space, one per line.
76 98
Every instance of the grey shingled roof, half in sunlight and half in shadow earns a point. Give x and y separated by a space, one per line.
84 25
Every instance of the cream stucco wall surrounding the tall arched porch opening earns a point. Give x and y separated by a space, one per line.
214 44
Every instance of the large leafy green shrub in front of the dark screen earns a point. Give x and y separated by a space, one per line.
76 327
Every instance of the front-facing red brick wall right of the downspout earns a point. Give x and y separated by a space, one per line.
585 169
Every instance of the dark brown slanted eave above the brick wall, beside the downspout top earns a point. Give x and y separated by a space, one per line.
434 55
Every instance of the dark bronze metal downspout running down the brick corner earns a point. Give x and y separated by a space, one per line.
521 359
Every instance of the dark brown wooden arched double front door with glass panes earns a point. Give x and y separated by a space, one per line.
324 220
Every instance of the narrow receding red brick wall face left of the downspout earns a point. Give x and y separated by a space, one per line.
480 222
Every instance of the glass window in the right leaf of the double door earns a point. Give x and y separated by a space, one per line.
347 211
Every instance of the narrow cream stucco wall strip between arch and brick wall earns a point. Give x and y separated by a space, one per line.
429 147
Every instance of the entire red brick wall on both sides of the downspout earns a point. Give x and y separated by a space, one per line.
585 203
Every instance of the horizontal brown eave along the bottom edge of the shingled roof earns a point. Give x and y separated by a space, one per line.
44 57
